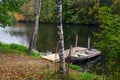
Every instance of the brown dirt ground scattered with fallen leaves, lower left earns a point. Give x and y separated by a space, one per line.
21 67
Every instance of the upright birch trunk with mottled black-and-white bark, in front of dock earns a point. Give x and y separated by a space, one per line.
60 37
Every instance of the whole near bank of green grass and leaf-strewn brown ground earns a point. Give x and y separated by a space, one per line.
22 67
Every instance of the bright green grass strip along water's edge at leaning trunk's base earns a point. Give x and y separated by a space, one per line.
19 49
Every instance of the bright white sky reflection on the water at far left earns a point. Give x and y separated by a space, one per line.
10 35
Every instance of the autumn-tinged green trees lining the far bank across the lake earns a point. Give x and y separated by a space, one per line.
74 11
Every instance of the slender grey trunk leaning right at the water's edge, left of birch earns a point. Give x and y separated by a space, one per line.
35 30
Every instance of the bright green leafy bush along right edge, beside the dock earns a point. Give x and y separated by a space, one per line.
108 41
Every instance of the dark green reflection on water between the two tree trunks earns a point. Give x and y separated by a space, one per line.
47 37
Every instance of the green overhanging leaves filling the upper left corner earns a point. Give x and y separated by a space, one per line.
7 7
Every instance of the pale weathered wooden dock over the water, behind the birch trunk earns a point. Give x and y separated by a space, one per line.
77 53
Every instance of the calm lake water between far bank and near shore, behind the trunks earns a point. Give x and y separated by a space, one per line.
20 33
